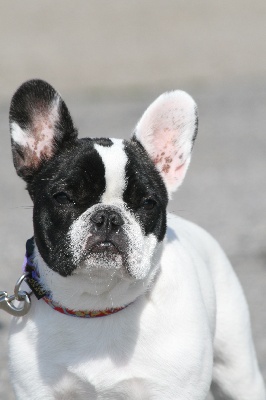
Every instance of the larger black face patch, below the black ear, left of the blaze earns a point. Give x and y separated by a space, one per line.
65 187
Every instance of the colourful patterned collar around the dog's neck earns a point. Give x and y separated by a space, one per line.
33 281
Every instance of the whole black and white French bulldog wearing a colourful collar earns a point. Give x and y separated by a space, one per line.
136 303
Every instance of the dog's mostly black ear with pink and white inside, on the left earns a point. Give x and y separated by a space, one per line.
40 125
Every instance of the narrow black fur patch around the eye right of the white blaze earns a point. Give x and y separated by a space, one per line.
145 193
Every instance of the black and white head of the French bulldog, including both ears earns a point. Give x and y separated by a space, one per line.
99 204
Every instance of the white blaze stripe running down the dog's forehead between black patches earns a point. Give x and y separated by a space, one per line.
114 159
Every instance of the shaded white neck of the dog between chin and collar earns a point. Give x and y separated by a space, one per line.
84 291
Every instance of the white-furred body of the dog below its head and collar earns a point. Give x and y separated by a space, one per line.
160 347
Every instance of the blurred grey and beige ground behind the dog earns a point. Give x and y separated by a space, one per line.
109 60
